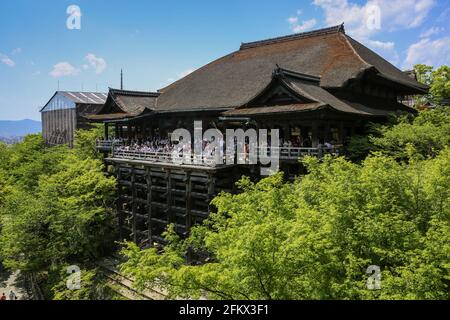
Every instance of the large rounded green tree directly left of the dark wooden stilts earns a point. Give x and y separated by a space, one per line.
68 219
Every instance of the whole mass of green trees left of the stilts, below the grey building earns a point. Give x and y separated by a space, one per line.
54 205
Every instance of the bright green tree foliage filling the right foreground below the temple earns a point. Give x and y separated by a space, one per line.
316 237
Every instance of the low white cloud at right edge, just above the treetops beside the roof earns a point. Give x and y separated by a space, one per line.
430 52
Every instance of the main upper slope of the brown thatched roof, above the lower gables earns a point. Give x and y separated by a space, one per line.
234 79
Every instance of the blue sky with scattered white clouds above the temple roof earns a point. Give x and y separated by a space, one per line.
157 42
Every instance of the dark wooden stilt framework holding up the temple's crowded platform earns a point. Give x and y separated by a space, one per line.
151 197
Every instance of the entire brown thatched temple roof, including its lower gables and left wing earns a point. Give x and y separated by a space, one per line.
314 62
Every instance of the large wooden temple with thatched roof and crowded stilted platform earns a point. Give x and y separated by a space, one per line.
315 87
